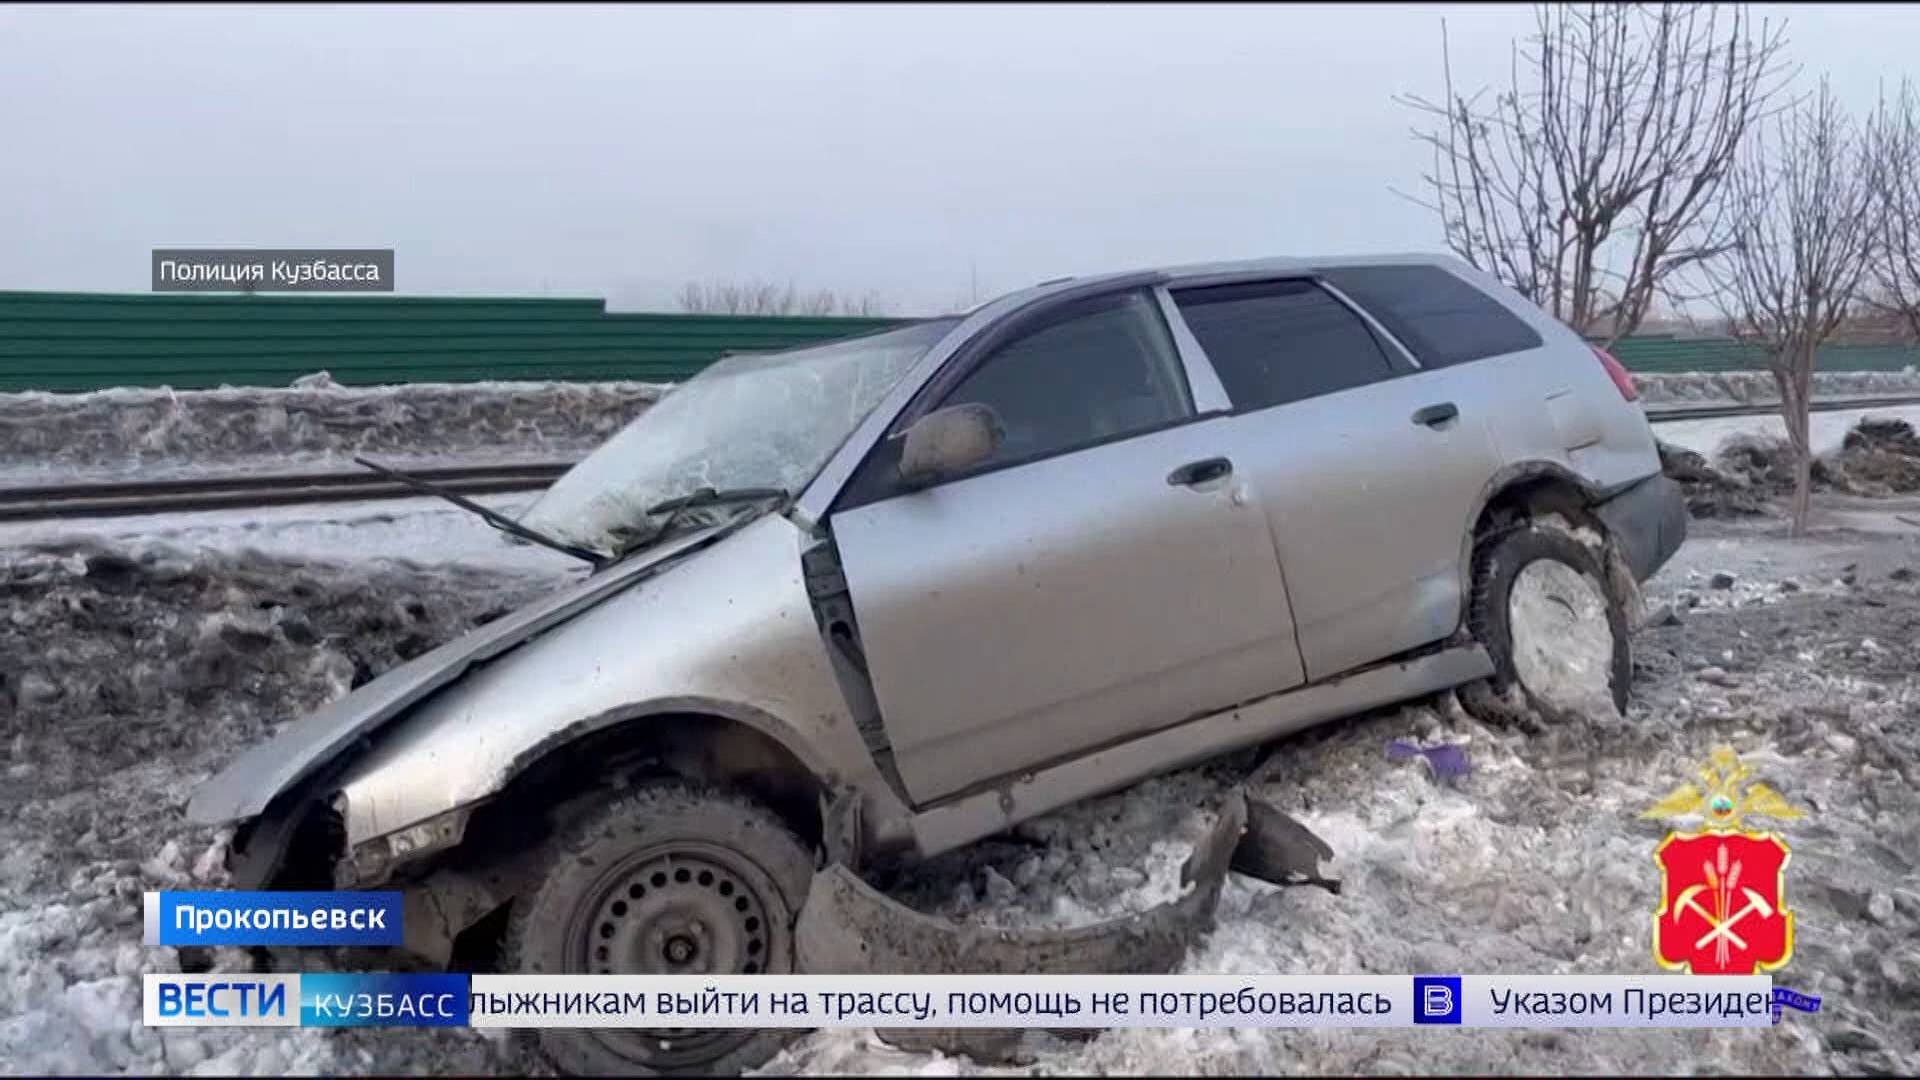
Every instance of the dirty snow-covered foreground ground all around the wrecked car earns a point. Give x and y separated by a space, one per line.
132 679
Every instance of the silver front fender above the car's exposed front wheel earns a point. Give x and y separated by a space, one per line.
727 633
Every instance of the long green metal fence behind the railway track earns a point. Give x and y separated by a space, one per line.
78 341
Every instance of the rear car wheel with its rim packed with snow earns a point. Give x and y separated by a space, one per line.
1550 562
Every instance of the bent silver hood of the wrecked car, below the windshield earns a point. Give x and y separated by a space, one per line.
260 775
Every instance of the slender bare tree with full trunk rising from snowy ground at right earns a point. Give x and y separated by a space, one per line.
1806 214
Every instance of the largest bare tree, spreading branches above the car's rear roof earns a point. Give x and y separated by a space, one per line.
1596 176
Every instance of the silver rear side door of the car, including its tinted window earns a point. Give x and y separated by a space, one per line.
1366 464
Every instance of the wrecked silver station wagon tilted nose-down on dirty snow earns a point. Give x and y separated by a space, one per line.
867 602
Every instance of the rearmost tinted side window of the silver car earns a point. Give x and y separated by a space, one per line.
1437 316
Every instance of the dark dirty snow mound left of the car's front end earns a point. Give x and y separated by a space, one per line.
126 679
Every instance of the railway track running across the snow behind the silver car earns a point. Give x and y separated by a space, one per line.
287 489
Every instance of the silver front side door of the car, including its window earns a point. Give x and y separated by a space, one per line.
1105 574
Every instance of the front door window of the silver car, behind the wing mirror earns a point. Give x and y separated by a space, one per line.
1092 372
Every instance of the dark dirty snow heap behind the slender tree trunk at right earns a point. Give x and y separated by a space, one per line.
1750 474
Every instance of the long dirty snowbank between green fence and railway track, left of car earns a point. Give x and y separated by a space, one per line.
312 426
